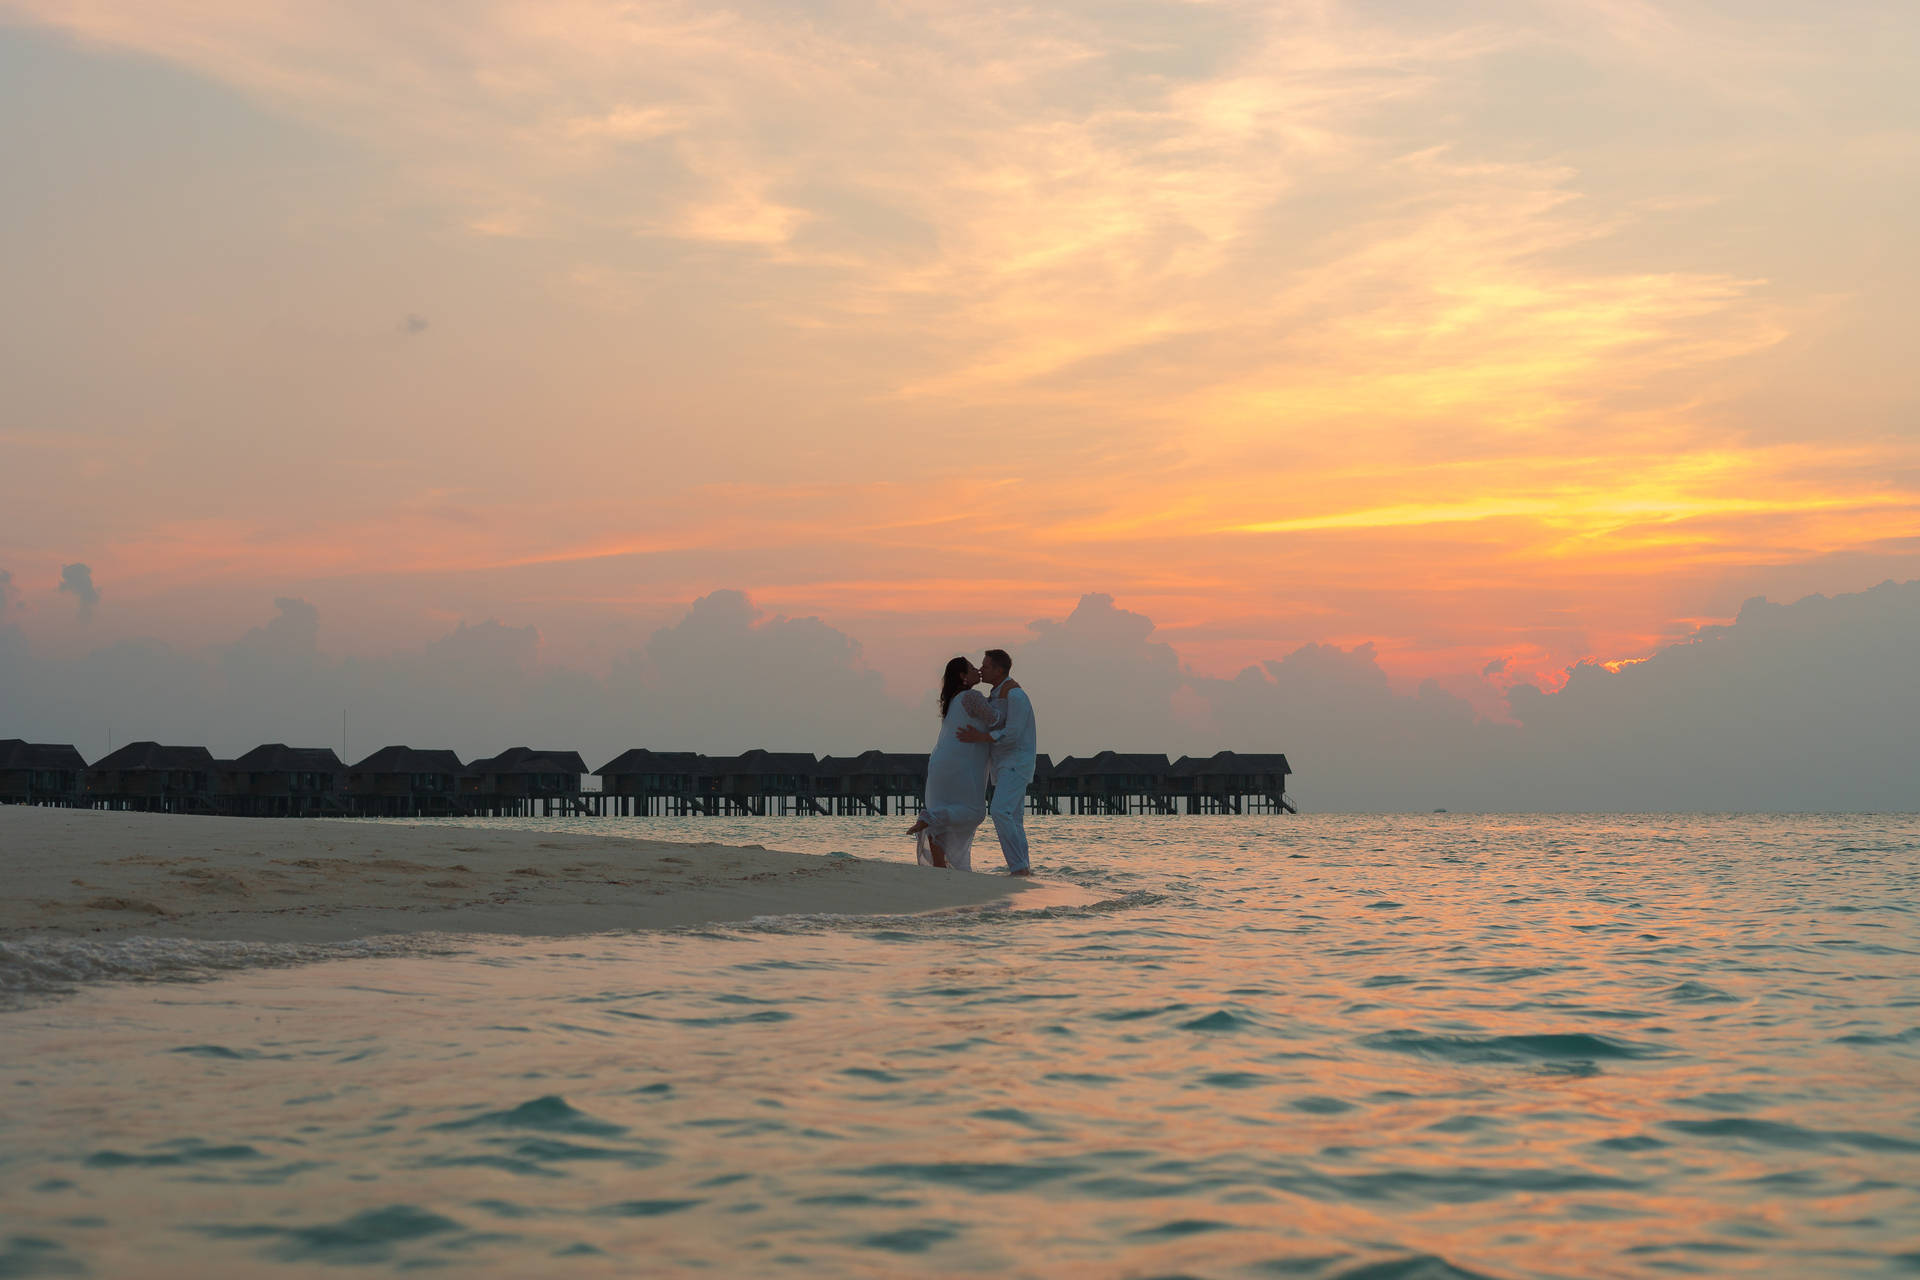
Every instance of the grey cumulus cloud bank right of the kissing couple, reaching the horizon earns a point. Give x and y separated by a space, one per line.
1790 707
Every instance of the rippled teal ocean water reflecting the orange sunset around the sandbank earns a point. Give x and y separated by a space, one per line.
1353 1049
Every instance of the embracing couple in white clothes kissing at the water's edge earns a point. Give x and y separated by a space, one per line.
982 738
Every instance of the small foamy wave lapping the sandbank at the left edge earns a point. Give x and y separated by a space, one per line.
53 966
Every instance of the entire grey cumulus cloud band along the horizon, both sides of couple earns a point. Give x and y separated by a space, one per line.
1790 707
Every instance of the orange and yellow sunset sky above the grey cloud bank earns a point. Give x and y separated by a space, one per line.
1502 337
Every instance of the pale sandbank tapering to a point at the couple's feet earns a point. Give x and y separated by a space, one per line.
289 880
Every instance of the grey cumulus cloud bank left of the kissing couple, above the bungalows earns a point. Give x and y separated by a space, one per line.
723 678
